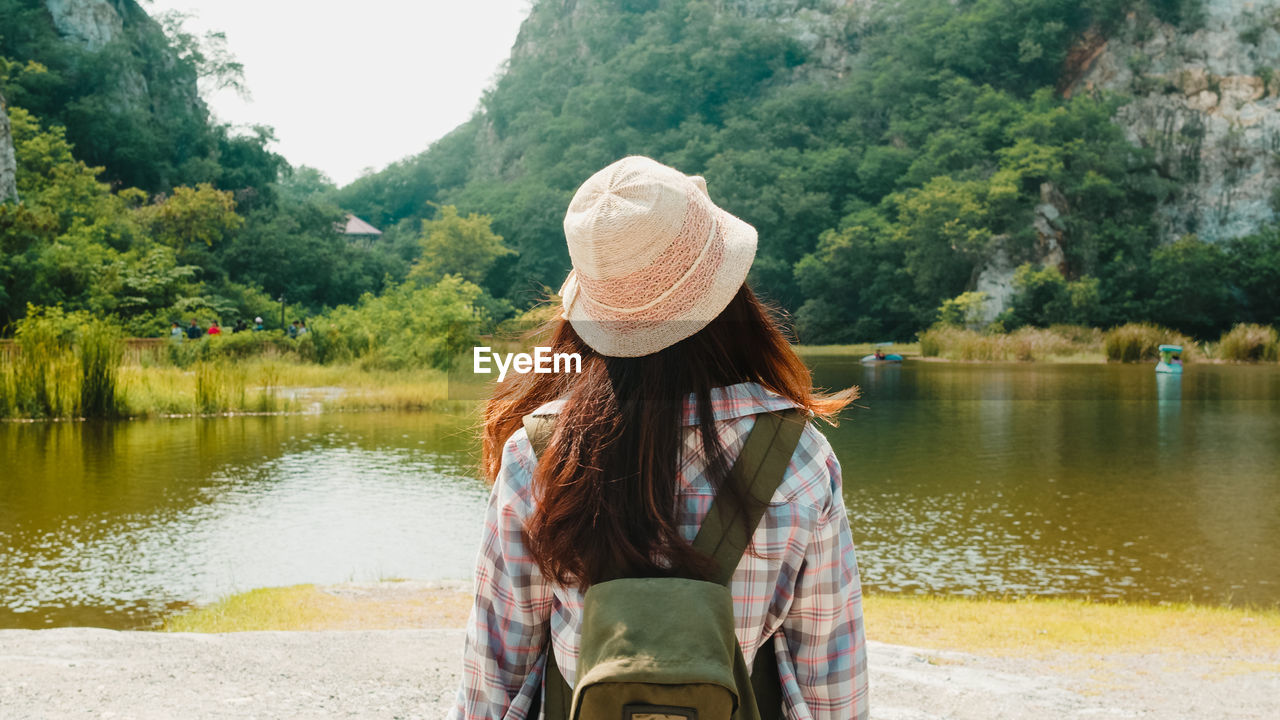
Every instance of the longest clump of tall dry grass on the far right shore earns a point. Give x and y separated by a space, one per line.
1027 344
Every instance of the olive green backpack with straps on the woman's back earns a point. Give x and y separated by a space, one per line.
664 649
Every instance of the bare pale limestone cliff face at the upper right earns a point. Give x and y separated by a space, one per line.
1209 104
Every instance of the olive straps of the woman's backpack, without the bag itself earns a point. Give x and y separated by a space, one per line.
725 535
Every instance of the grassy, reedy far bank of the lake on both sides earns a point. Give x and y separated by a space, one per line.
150 385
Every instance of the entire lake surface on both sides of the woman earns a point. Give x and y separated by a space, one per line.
1096 481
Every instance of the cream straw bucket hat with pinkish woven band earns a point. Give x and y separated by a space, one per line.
655 259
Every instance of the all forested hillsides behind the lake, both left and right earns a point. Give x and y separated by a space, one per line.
1091 162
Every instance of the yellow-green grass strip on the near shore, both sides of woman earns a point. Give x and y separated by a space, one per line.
1003 627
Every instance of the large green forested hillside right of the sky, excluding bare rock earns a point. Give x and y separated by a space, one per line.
893 154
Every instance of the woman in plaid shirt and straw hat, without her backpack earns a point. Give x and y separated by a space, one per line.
679 358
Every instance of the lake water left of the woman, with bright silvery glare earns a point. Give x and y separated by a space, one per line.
117 525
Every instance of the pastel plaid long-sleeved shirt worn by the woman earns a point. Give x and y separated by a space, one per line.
803 594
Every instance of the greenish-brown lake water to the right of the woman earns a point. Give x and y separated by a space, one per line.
1053 480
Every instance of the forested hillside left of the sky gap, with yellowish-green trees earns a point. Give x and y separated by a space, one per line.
132 202
